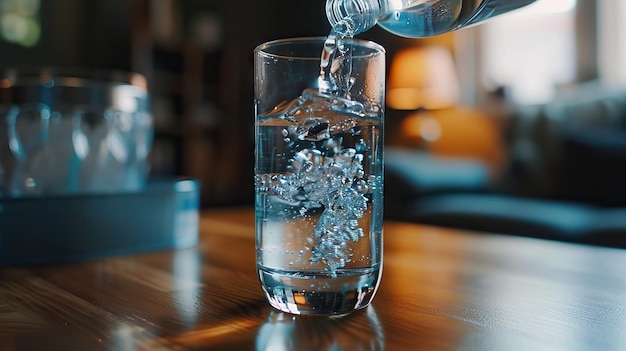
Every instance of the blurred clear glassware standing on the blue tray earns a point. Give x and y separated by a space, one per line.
72 131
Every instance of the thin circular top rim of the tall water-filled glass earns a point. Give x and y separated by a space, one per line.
376 49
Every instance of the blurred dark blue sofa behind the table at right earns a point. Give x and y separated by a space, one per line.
564 177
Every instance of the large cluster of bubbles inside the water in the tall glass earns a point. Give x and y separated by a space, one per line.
331 180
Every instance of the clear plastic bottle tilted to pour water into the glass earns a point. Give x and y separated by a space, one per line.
415 18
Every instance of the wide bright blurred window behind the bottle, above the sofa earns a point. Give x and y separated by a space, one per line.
530 52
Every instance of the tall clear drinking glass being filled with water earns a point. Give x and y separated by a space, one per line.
319 174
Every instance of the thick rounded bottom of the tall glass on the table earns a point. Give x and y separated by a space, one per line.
319 293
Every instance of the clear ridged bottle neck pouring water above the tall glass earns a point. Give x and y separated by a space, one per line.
354 16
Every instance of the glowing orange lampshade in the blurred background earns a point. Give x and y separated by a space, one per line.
422 77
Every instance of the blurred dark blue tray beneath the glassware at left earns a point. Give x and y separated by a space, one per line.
51 229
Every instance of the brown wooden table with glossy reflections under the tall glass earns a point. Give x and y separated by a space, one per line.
441 290
